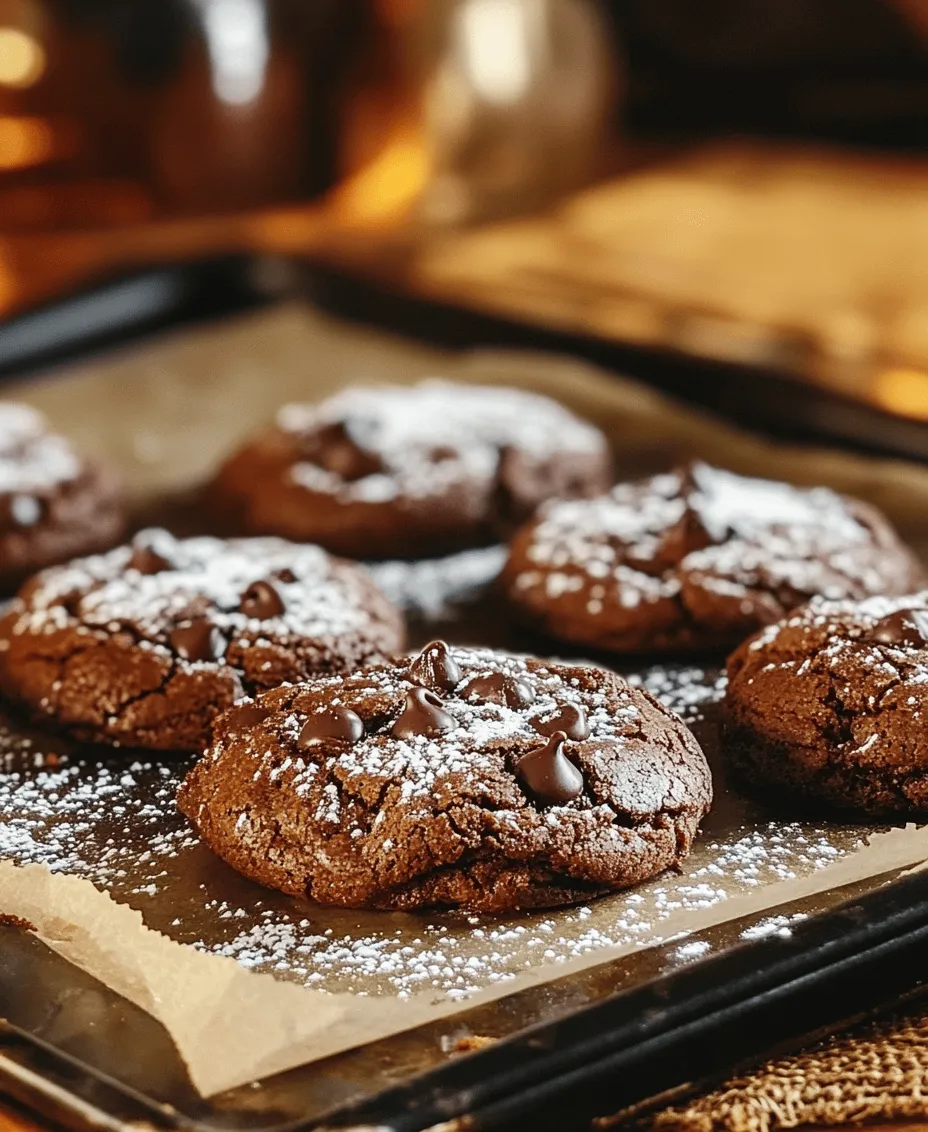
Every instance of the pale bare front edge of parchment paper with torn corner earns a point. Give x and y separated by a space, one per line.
234 1026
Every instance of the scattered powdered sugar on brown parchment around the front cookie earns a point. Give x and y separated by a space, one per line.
113 820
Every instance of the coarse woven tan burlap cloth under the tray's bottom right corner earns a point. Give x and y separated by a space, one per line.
879 1073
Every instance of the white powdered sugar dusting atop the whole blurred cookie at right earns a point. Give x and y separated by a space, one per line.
710 531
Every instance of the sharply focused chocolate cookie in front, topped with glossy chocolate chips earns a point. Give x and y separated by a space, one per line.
459 778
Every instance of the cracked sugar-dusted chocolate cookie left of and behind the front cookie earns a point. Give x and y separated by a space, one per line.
143 647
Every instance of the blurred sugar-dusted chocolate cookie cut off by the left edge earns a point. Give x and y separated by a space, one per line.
54 504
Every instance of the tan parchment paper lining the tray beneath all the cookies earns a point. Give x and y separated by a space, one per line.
183 933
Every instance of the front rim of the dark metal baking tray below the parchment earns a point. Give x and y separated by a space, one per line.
587 1045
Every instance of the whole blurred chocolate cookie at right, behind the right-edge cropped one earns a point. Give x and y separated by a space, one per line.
698 559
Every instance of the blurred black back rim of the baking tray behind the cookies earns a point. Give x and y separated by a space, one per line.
118 311
